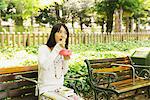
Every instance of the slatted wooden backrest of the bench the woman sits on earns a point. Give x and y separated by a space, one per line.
18 89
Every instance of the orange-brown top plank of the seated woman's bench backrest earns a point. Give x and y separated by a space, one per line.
18 69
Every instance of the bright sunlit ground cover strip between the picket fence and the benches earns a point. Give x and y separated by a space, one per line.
27 56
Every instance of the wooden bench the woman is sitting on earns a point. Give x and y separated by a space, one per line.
19 83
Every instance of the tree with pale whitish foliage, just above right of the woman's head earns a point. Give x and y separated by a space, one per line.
78 8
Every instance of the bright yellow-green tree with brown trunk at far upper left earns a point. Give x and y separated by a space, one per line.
20 10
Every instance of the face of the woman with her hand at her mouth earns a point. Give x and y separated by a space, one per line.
61 35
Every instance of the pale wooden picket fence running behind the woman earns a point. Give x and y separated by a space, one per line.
30 39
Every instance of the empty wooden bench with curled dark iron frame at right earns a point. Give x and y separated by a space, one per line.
115 79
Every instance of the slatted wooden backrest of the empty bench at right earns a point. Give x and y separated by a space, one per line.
104 66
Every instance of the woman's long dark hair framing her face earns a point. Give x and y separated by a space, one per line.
56 28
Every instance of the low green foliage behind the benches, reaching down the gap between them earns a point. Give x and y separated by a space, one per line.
80 53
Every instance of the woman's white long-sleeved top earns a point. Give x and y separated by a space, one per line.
51 68
